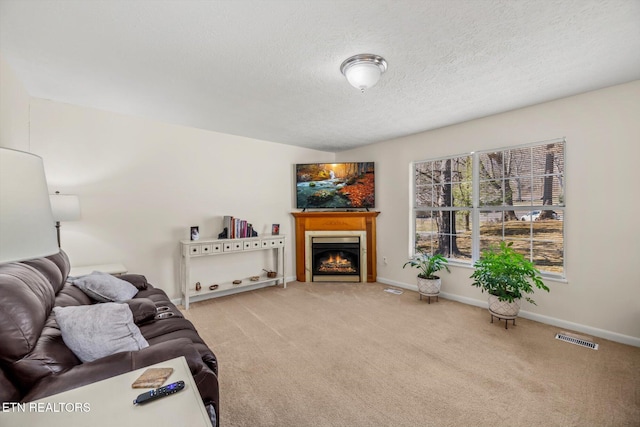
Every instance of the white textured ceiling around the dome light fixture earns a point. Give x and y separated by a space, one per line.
269 69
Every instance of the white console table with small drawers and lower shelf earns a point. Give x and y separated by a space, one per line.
217 247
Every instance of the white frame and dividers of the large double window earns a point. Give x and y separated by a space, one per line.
476 209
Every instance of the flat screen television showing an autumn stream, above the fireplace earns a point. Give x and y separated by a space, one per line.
335 185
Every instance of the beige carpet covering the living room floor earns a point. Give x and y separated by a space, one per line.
336 354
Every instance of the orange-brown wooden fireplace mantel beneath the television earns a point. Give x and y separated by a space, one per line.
336 221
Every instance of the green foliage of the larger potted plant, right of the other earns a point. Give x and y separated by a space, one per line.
506 274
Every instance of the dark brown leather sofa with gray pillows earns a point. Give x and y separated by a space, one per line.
34 360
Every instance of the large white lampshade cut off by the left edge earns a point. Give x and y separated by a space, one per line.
26 221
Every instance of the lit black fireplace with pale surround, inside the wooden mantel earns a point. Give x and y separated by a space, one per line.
335 259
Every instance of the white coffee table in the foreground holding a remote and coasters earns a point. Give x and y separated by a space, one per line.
110 403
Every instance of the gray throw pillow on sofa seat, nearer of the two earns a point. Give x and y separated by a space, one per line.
95 331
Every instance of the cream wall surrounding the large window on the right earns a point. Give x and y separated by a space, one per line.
602 236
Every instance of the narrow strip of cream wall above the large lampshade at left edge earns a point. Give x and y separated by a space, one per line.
14 110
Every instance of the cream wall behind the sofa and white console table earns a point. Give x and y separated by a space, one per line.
143 183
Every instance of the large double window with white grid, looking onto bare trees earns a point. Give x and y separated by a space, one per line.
464 204
